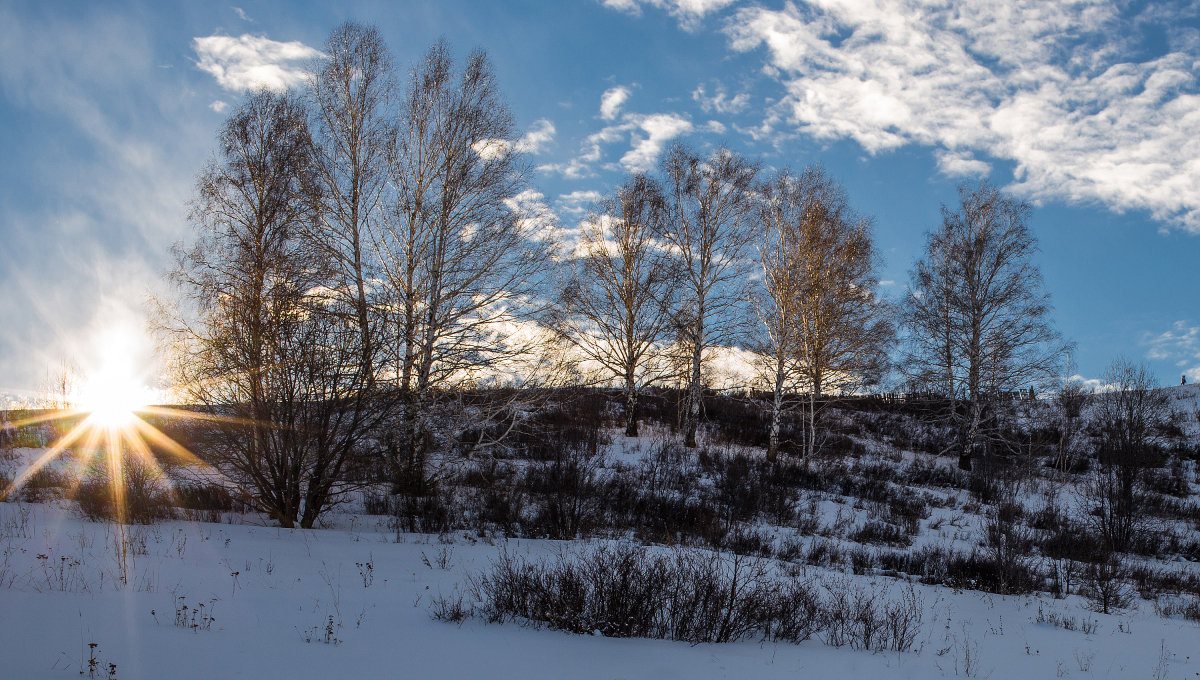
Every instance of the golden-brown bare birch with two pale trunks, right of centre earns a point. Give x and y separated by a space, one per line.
826 329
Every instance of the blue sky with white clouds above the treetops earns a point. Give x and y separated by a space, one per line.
1089 110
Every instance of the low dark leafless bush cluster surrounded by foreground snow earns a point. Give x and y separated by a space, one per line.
694 597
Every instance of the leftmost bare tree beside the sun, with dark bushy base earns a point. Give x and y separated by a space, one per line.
256 345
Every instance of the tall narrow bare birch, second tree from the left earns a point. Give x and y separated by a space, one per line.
350 92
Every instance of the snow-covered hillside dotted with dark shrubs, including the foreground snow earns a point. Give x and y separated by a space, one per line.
993 574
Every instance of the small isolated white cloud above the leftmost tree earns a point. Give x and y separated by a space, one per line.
248 63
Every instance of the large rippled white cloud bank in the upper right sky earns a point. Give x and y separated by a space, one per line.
1048 86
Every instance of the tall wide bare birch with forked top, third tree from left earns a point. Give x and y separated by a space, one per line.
460 261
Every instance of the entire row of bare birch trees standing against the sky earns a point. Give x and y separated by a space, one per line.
363 272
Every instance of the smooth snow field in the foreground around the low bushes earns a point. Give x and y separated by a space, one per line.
355 601
